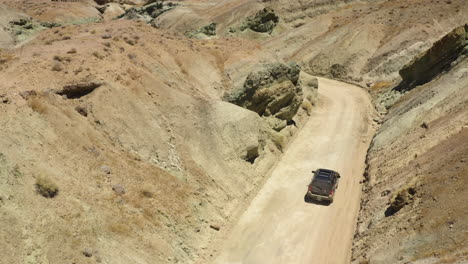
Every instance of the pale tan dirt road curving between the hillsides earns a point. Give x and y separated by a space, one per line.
279 226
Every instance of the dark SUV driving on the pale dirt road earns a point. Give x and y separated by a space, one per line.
323 185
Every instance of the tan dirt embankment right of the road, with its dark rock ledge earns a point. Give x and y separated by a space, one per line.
415 202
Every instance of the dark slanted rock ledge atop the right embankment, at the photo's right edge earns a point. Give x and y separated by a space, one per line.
438 58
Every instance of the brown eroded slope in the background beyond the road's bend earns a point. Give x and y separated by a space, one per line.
363 41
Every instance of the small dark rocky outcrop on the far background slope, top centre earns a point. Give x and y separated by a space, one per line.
264 21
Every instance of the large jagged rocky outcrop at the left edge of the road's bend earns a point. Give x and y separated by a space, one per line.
274 90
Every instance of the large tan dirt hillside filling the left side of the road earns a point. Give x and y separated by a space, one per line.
115 138
